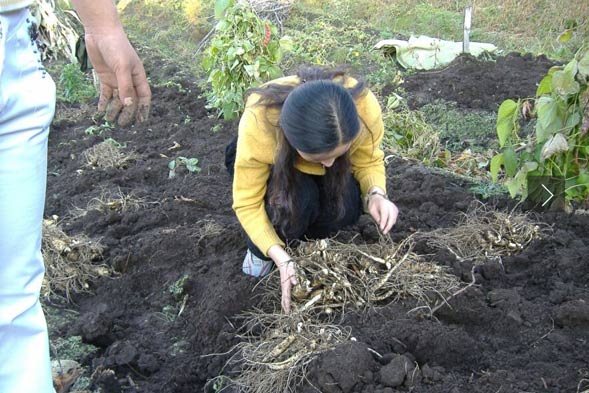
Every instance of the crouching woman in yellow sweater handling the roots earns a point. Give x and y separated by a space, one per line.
306 157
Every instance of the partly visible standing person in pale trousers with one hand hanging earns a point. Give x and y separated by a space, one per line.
27 103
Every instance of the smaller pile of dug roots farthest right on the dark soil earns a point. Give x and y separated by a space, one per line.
484 233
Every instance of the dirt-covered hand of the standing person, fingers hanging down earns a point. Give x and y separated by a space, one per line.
124 90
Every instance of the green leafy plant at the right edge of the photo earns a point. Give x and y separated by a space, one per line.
559 148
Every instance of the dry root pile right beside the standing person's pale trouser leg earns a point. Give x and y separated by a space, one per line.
69 261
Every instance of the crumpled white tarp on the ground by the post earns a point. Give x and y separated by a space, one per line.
427 53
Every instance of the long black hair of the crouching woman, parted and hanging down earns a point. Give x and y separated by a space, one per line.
316 116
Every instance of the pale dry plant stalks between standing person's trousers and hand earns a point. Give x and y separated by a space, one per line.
59 30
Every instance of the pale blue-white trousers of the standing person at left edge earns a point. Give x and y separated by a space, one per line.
27 104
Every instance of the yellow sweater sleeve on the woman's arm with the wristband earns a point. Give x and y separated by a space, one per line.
367 158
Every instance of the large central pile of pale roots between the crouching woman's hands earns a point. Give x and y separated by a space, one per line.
338 276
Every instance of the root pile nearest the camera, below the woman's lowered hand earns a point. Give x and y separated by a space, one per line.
275 358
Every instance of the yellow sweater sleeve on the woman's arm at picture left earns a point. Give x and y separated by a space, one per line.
255 155
